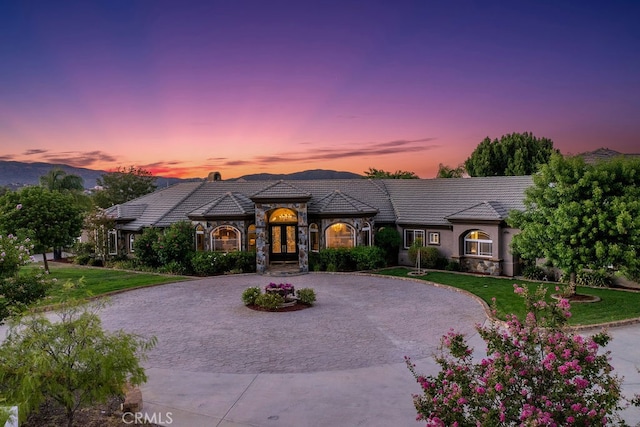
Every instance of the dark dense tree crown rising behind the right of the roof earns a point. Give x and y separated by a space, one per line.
513 154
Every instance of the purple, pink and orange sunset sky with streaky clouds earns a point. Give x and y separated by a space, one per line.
182 88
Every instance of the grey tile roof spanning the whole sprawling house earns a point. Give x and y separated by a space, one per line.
402 201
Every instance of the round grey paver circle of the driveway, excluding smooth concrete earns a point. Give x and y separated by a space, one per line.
358 321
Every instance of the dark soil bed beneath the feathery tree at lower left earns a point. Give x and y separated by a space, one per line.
51 414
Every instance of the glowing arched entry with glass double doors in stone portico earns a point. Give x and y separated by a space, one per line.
283 232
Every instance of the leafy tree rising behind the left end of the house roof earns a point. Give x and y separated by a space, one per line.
123 185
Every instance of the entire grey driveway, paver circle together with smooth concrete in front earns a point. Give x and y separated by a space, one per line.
339 363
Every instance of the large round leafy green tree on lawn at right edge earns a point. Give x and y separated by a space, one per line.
581 216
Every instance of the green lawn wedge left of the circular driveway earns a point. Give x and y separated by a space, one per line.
99 281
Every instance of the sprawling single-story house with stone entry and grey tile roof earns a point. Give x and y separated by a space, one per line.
283 221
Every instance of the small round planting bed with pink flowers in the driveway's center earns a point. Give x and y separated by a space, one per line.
278 297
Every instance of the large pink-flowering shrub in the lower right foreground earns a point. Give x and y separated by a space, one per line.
535 373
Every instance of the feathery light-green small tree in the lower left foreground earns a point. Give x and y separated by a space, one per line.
72 361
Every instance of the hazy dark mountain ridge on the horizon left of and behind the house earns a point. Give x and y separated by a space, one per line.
18 174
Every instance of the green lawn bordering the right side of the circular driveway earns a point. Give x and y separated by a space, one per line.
615 304
